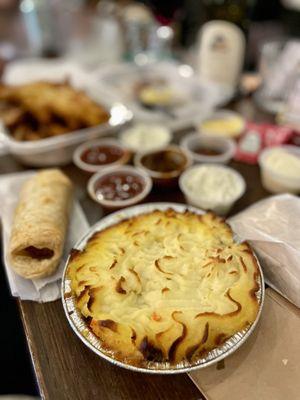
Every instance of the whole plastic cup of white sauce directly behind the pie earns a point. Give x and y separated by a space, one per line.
212 187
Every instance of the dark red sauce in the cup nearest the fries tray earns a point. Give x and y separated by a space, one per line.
103 154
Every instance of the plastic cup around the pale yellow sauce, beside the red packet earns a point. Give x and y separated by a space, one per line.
222 114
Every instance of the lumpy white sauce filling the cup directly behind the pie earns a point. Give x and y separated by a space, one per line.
213 183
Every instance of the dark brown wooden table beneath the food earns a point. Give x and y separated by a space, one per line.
64 366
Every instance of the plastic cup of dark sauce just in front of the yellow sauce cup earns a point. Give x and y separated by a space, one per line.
225 146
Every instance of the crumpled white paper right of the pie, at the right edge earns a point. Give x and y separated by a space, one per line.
272 226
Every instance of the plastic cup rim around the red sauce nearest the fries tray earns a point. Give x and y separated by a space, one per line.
90 168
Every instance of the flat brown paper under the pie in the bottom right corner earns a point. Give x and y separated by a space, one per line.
266 366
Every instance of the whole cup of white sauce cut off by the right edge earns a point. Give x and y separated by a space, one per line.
278 175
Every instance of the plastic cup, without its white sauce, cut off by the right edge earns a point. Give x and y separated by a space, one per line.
276 182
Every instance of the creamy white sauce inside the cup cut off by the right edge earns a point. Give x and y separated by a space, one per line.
284 163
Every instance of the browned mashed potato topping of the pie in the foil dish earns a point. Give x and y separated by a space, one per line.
165 286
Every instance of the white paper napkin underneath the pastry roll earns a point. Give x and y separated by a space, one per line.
43 289
